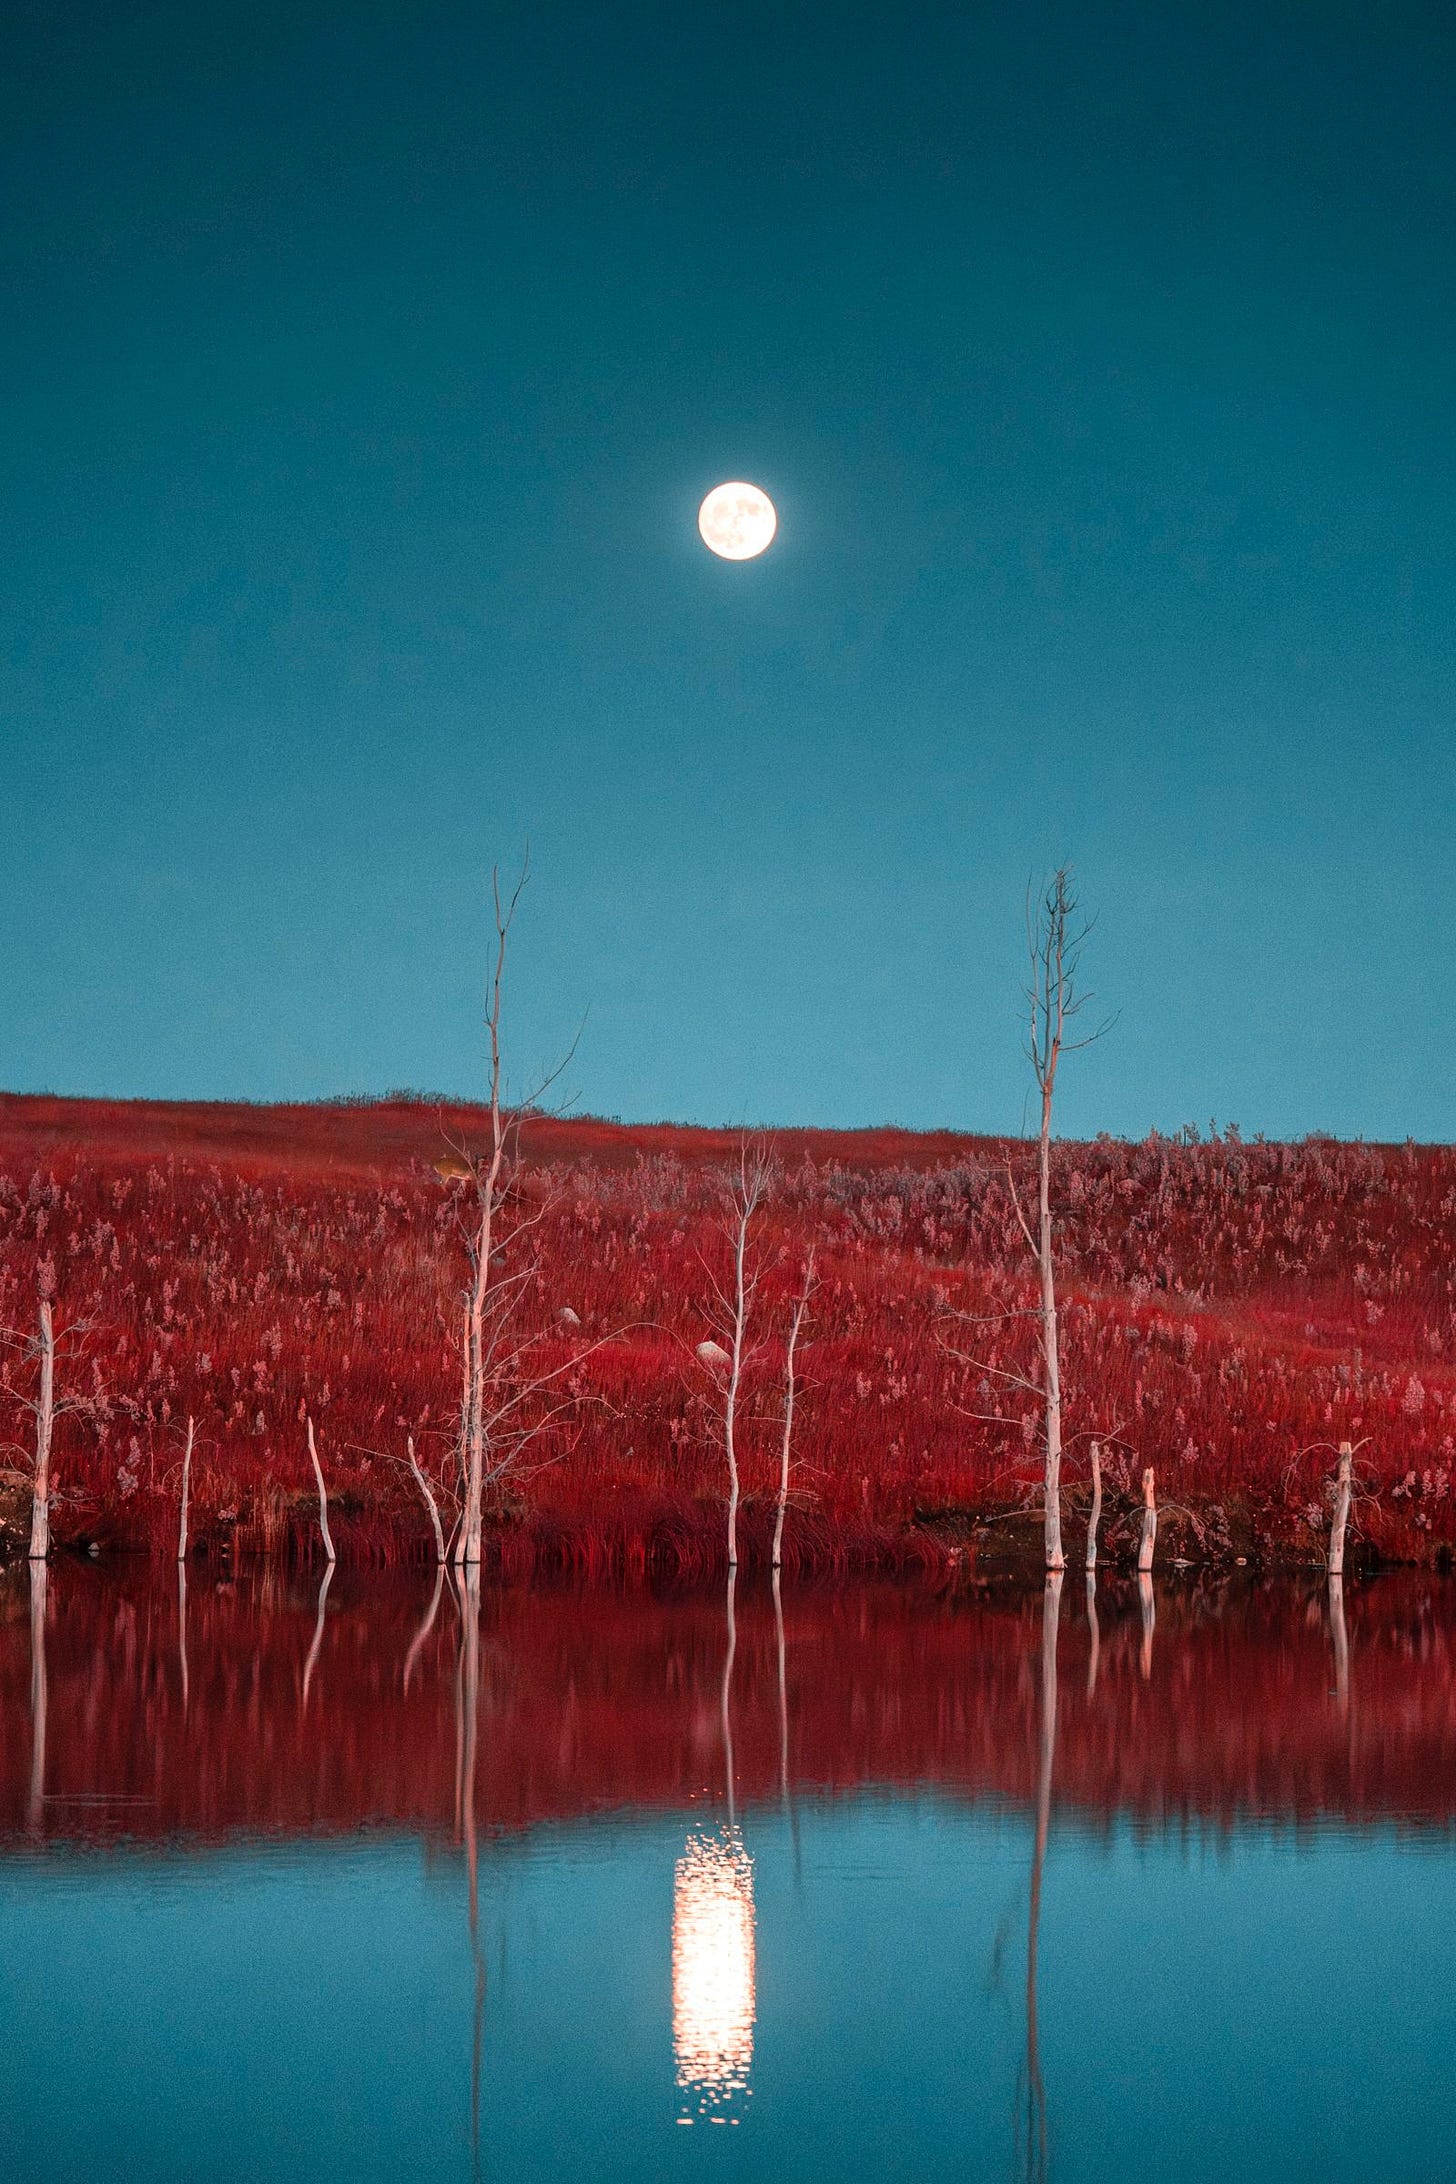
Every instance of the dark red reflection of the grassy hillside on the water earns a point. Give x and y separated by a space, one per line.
601 1698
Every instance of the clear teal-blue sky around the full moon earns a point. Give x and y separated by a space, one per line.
363 368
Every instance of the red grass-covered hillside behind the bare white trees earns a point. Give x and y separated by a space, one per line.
1230 1305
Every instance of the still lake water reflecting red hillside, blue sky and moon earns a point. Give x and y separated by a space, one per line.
857 1884
